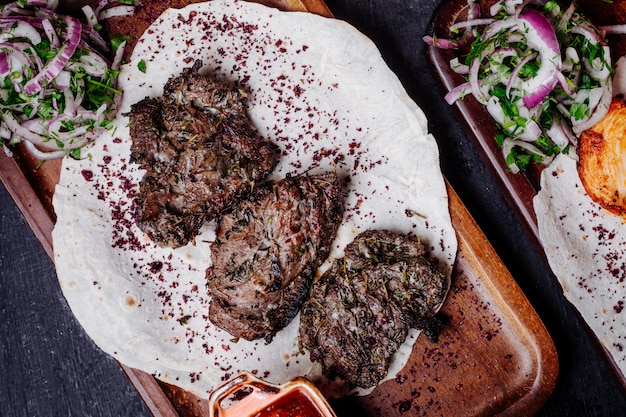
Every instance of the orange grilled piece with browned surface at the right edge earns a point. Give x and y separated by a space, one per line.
602 160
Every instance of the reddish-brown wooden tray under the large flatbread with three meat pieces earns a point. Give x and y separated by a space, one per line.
494 355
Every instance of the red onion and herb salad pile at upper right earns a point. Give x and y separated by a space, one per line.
543 73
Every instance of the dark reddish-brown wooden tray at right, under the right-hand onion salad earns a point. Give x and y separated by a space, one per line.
518 189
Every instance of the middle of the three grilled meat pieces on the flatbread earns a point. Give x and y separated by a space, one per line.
267 251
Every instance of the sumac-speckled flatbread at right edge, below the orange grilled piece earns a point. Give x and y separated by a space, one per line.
586 248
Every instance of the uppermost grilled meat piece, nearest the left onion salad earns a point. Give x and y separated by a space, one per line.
201 154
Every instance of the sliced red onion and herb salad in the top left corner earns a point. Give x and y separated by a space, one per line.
58 89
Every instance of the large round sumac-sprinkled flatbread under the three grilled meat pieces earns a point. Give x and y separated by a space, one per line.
317 88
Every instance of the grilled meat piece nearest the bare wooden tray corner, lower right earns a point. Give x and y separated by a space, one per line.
361 309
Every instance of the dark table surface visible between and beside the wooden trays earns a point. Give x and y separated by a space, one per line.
49 367
